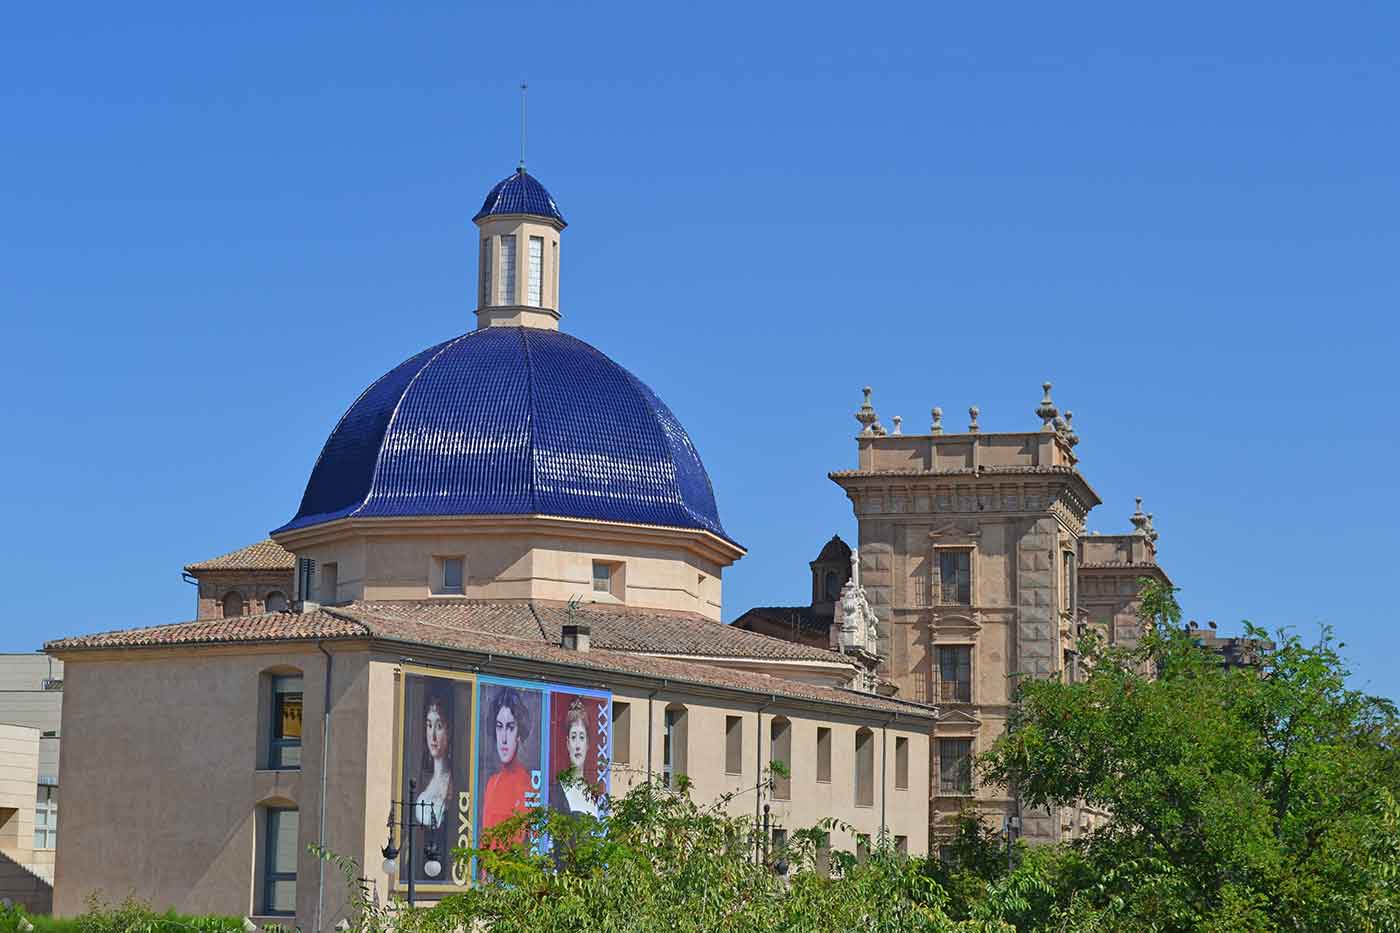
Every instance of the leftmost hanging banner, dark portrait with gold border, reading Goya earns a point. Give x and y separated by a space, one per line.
436 754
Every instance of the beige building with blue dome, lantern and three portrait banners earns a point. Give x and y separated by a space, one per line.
506 565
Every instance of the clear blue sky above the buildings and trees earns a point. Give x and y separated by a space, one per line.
218 225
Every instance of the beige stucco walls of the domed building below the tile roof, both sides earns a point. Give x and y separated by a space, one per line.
163 791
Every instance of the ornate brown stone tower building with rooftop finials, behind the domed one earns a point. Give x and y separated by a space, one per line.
975 558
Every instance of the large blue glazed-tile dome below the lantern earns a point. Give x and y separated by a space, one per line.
510 422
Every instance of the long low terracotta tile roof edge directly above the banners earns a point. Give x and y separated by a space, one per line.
398 623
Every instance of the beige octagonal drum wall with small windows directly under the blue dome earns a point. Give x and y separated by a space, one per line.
523 565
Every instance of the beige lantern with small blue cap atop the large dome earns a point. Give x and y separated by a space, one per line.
519 256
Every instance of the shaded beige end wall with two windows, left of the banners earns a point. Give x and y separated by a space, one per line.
163 789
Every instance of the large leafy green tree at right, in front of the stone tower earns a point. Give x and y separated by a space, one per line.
1238 798
